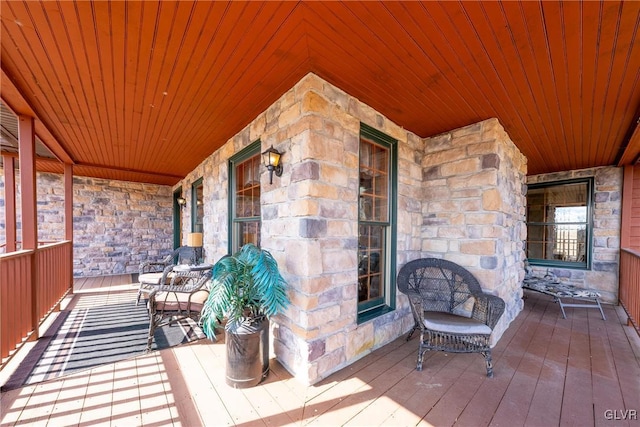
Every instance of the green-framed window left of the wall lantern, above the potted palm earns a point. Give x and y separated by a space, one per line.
244 198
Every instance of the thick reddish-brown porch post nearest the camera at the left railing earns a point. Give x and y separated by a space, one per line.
27 160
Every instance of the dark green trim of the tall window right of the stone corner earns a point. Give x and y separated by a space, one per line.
369 132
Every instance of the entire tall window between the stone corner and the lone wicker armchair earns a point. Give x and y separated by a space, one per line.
377 207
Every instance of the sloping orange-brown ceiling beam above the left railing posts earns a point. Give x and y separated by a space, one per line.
13 98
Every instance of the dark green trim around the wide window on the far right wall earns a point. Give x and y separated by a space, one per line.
590 219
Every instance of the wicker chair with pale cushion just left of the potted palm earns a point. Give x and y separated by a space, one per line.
182 299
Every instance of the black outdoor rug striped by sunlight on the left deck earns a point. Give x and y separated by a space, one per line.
90 337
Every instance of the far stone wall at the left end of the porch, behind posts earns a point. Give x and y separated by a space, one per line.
116 224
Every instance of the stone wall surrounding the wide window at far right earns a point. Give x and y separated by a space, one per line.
603 275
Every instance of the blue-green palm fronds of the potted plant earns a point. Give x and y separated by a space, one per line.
244 286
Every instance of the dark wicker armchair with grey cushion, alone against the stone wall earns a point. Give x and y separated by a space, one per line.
450 309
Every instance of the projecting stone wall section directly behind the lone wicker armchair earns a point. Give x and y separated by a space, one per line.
474 208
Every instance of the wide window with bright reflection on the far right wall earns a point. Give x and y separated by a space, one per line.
559 223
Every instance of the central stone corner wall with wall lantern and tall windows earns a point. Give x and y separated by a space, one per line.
310 222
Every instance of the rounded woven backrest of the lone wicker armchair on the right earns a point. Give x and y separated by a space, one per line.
443 285
